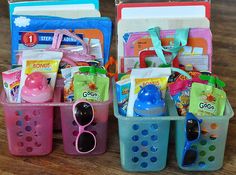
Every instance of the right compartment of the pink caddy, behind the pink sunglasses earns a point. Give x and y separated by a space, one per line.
98 127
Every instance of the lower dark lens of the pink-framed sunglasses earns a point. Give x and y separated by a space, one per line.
86 142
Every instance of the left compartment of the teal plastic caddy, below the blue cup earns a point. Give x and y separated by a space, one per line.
144 141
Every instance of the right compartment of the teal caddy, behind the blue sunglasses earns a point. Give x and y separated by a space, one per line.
211 145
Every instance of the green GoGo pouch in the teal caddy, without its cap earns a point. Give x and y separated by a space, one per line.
207 100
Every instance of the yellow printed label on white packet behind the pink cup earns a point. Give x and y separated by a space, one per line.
46 66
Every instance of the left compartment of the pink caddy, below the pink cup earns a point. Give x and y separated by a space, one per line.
29 126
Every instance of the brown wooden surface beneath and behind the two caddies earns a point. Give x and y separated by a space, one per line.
224 37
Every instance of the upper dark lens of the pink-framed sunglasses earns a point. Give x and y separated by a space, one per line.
83 113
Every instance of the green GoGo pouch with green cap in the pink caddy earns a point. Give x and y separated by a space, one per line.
92 86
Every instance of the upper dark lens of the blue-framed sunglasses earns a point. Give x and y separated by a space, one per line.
192 130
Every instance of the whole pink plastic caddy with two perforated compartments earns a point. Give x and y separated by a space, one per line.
30 126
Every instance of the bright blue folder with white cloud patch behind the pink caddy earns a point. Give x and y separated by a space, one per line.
34 23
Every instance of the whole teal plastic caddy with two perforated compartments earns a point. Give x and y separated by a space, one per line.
144 141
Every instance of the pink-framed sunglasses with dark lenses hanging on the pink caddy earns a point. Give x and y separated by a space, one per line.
83 114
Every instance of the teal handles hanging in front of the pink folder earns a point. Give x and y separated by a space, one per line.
180 40
